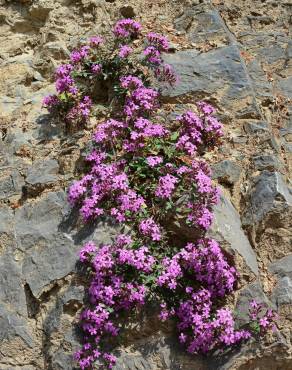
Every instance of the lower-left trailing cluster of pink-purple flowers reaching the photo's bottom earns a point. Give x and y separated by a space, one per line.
110 290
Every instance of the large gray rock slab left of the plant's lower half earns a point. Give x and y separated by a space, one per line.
52 254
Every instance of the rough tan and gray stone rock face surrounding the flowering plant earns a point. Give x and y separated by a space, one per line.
235 55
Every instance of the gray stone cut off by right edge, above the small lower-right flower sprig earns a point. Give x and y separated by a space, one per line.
282 294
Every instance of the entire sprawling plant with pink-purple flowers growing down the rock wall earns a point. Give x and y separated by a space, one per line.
147 172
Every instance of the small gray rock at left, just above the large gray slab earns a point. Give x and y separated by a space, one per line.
43 172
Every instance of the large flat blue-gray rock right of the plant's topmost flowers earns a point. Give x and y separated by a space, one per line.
204 74
